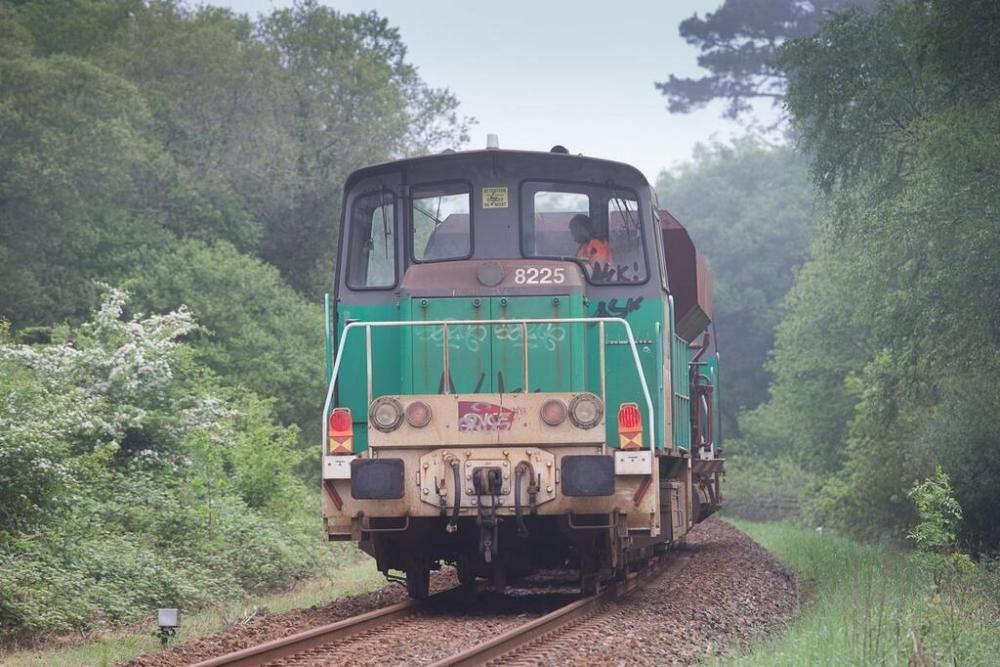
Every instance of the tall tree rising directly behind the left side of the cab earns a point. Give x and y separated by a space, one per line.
351 99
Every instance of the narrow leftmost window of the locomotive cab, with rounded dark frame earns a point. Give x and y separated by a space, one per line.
372 257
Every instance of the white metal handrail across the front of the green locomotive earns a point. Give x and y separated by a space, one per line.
525 322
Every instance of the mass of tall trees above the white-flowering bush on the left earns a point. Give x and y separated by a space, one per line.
123 120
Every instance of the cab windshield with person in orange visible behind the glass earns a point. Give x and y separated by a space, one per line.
595 225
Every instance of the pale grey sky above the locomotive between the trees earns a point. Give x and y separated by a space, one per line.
544 72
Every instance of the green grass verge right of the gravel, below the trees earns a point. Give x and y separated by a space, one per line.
876 605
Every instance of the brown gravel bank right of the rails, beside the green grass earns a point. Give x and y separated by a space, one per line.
729 591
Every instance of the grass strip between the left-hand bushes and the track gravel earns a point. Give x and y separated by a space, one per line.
358 576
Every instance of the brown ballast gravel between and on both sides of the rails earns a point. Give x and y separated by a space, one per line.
725 591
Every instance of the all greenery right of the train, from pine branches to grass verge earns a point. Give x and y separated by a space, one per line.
875 412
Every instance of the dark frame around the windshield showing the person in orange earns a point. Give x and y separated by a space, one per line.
526 208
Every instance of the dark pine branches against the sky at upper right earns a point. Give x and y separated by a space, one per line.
738 44
